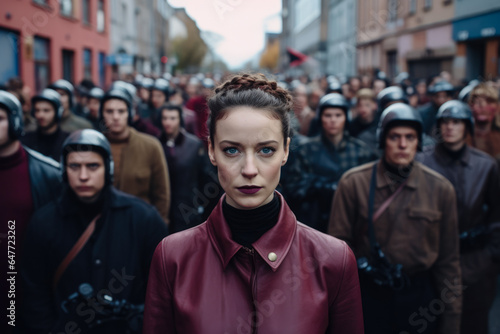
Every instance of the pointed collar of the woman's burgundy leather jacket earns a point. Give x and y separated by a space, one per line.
277 240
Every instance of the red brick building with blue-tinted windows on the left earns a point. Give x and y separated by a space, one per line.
45 40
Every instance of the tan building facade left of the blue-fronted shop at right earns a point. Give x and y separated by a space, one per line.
406 36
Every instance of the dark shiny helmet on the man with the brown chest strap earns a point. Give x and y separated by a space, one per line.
84 141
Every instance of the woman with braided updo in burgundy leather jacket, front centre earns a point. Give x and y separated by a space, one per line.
251 267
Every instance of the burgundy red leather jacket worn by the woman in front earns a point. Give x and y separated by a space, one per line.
294 280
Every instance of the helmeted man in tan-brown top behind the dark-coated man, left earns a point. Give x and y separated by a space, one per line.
139 162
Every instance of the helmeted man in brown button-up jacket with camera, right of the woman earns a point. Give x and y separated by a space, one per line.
407 253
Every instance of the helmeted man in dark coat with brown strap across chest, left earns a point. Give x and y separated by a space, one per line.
92 234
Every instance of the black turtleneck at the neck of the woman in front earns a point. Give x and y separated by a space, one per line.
247 226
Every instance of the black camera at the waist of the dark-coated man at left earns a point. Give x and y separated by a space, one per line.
92 311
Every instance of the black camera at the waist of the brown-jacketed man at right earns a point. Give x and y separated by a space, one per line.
381 272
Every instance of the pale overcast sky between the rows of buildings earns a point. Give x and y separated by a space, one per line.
241 23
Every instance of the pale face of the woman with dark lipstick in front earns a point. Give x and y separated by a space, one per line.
248 150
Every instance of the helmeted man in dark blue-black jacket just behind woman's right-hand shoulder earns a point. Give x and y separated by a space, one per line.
321 161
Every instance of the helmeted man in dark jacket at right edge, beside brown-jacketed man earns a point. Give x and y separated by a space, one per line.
474 175
